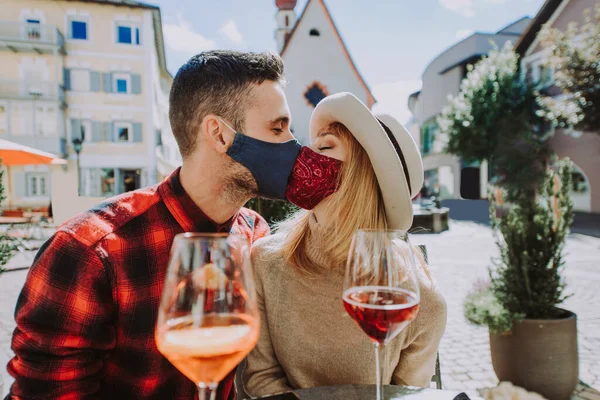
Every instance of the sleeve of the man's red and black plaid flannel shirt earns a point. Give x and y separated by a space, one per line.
63 318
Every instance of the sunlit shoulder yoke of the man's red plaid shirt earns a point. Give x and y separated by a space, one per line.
110 215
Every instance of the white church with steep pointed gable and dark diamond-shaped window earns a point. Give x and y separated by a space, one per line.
317 62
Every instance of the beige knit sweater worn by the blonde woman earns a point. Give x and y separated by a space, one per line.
307 339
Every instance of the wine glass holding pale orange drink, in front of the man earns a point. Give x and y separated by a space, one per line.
208 320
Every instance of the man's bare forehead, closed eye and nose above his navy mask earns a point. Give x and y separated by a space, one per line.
268 116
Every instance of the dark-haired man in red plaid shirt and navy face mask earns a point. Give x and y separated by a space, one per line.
86 315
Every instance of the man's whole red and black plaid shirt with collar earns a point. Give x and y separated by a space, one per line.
86 315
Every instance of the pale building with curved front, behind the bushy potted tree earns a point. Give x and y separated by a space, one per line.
445 173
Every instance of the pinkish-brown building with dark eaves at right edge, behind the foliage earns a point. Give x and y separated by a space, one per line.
583 148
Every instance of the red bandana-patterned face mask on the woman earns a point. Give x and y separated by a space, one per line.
314 178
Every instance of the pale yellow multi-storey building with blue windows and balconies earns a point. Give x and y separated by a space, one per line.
88 70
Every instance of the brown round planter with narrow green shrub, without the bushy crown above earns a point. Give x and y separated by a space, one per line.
533 341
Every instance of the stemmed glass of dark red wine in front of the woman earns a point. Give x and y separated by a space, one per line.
381 292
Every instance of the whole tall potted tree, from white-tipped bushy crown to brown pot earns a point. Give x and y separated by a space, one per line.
496 117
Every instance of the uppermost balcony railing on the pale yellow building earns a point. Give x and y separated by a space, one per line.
14 35
